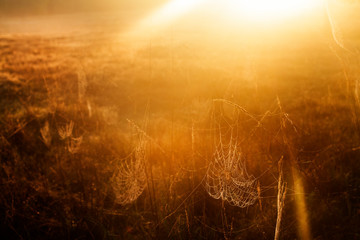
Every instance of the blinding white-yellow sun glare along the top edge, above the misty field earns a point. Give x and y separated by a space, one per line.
232 11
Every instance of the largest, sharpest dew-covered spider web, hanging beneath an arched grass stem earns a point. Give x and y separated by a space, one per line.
227 178
